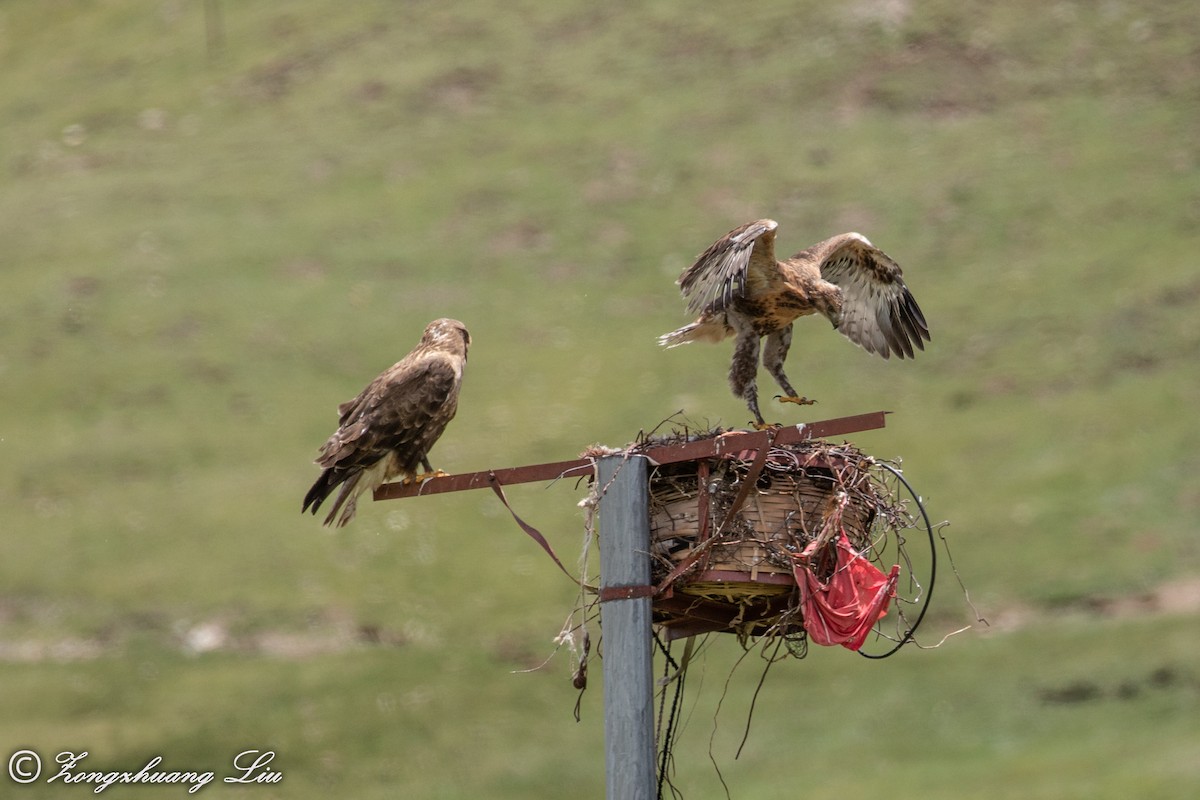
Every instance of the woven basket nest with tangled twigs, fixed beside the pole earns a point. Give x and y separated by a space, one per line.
737 574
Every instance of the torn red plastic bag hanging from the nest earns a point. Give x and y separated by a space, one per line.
845 609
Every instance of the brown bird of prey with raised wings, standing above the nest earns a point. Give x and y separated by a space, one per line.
740 290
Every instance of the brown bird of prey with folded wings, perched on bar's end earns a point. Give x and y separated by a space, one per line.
388 430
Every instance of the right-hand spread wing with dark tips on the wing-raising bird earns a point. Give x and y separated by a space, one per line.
878 310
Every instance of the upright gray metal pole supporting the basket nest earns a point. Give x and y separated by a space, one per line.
626 624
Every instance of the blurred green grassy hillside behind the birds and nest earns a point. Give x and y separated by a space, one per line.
221 220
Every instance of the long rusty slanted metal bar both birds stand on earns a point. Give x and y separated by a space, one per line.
728 443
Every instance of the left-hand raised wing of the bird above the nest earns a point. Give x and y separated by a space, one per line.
722 273
